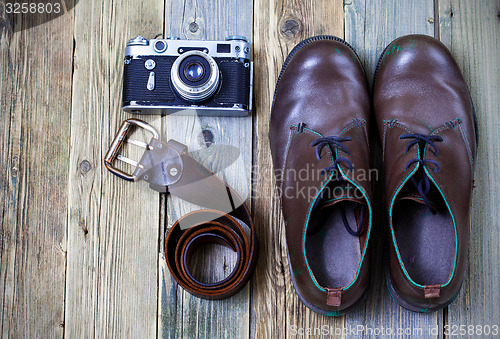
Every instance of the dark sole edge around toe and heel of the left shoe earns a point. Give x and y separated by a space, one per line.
285 64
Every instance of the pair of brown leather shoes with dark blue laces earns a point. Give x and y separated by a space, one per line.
320 146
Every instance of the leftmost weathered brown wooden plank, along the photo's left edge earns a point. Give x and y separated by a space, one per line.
35 101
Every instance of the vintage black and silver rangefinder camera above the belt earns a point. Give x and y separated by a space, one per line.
165 76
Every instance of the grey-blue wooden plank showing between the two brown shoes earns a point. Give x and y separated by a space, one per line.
370 26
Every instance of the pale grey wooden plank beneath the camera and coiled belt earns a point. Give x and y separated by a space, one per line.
230 156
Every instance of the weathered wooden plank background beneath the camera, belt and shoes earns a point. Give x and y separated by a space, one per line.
81 251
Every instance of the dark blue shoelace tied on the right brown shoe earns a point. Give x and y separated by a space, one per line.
423 185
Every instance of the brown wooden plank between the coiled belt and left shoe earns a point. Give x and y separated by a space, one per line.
279 26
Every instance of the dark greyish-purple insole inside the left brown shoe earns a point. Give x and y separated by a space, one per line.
332 253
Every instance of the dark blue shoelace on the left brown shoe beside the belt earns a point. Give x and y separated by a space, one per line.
338 142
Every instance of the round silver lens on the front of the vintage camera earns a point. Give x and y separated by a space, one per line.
195 76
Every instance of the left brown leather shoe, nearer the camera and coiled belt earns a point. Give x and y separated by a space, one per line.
319 144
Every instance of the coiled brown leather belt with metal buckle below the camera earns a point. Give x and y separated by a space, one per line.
225 221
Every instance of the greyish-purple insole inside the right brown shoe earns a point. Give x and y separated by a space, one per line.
426 242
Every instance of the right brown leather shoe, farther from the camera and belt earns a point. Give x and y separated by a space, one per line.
427 123
